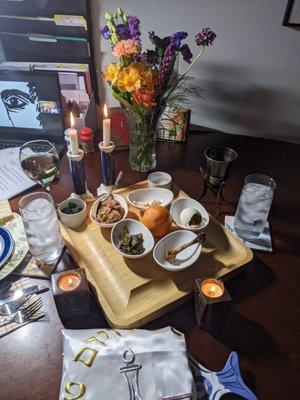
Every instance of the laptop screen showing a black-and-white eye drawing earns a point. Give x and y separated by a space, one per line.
30 106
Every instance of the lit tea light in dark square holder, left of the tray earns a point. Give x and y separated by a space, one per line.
71 293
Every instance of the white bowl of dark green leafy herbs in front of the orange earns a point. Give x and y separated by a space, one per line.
134 228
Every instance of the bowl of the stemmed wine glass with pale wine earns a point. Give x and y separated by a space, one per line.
40 161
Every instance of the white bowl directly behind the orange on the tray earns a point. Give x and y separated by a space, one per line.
165 196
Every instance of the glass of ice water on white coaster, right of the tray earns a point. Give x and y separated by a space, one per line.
254 206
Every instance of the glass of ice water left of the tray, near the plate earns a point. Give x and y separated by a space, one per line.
41 226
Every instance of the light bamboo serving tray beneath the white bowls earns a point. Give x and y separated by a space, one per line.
132 292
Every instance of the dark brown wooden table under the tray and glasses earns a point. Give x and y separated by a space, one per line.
263 326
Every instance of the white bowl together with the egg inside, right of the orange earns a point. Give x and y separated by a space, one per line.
182 211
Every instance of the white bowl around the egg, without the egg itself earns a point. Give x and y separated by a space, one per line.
181 204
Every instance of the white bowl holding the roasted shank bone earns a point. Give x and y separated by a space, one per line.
172 241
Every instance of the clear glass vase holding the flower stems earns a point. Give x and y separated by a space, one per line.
142 134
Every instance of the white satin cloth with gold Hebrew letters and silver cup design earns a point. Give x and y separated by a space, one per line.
107 364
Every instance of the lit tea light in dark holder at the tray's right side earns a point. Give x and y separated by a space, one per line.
212 302
